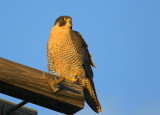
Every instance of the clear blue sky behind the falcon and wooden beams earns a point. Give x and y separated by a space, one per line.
123 38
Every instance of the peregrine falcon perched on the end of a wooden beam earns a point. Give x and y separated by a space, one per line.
68 56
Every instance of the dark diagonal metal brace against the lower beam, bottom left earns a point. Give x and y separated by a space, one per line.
7 110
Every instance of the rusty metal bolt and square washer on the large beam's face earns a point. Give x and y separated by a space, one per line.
54 83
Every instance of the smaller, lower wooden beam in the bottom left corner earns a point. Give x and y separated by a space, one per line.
6 105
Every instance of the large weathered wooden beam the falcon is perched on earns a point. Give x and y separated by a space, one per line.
30 84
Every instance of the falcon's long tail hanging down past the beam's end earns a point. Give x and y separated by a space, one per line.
90 95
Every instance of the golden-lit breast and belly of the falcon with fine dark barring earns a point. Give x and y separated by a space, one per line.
65 51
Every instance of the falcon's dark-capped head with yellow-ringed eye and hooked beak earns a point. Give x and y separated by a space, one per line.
64 21
